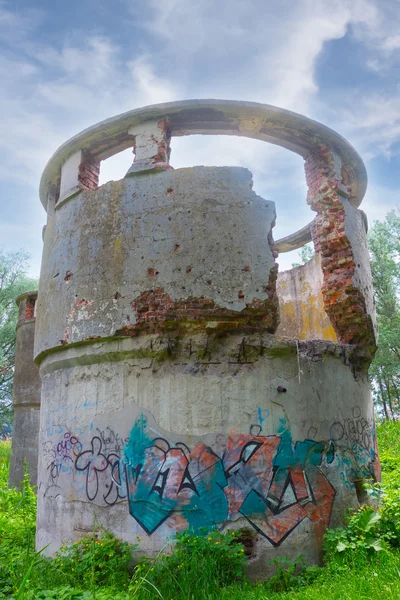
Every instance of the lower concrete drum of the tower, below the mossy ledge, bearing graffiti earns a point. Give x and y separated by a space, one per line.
151 435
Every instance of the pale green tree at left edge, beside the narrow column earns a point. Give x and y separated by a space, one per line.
13 282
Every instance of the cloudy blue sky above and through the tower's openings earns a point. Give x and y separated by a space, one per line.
67 65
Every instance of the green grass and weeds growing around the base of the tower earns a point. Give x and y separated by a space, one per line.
89 569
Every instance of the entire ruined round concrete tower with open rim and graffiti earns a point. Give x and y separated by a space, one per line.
168 400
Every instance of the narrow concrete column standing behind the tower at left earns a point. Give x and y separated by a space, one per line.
26 396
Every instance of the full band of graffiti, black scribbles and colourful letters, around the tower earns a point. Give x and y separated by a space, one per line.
273 482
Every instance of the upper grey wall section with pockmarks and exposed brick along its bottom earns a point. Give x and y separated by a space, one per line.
145 254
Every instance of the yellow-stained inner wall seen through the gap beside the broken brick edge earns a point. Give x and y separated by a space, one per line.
301 306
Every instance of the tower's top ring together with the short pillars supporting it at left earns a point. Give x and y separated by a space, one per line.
75 165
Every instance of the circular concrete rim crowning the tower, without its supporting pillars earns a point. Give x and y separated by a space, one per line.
216 117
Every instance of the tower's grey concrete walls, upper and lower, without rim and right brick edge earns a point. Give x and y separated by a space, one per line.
166 403
